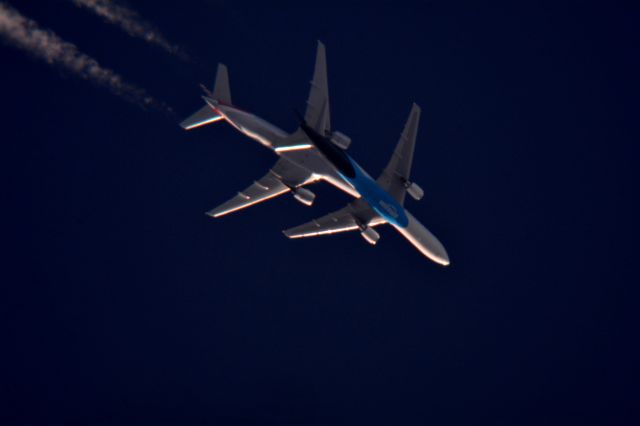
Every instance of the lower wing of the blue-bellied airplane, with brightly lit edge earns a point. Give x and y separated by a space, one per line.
355 216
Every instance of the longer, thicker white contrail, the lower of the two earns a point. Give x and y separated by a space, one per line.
26 34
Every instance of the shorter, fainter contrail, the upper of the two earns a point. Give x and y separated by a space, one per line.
129 21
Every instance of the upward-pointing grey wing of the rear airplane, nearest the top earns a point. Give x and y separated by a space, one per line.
317 114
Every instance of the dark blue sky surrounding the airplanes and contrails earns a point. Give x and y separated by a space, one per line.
121 302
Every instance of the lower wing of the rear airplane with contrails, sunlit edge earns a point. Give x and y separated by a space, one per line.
280 179
